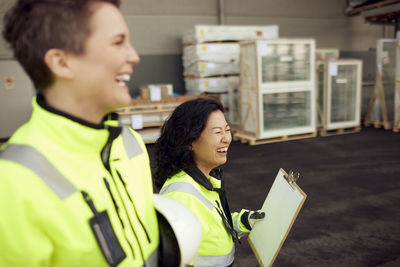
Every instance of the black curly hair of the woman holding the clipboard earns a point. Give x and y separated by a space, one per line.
173 147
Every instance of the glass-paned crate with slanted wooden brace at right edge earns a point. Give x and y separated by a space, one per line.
384 106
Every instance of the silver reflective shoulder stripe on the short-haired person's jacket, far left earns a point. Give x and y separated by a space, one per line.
32 159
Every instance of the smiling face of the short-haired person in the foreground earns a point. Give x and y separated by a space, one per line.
101 73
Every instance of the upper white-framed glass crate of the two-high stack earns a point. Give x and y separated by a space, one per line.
278 63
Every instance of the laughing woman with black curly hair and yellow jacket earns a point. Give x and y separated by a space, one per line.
193 144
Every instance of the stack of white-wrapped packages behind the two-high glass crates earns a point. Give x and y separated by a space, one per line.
211 60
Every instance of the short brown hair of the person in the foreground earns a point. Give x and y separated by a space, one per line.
32 27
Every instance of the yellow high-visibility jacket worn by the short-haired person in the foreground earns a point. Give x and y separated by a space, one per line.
75 194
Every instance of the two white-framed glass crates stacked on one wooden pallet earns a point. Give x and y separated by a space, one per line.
277 90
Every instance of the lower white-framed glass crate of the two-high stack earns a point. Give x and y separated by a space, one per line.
275 113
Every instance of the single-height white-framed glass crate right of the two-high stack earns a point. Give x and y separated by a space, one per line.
339 93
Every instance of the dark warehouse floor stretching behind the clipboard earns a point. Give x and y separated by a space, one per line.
351 216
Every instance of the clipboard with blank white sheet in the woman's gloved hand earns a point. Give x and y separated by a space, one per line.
281 207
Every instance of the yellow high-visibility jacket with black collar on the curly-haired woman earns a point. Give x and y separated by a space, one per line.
204 198
